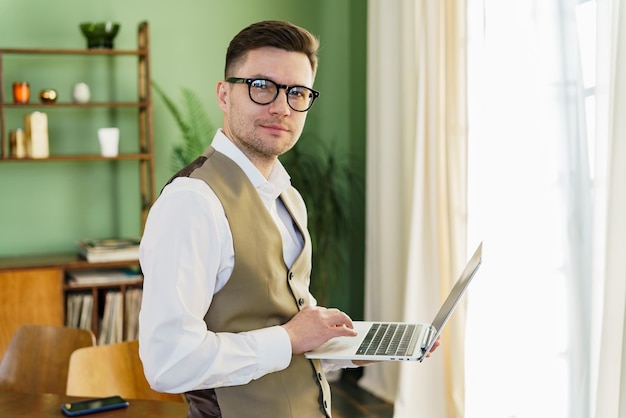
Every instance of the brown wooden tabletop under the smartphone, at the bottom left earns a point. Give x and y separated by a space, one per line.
38 405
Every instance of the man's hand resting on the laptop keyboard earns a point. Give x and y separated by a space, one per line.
314 325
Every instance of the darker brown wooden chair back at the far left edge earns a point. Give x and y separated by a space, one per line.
37 358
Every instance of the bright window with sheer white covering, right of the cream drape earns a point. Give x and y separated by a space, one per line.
530 108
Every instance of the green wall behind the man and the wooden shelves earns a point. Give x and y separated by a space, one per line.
48 207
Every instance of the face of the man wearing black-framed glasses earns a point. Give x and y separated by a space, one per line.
263 132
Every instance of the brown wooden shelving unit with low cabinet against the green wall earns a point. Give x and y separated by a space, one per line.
19 292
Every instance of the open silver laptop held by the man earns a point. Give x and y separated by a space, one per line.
398 341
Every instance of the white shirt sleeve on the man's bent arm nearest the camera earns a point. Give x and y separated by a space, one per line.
186 255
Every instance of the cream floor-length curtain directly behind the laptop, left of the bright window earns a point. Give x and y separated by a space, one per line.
416 185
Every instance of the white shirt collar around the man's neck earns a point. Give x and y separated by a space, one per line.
279 179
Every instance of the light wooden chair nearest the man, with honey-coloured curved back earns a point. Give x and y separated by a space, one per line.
112 369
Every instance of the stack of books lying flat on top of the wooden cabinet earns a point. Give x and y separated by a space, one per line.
114 249
